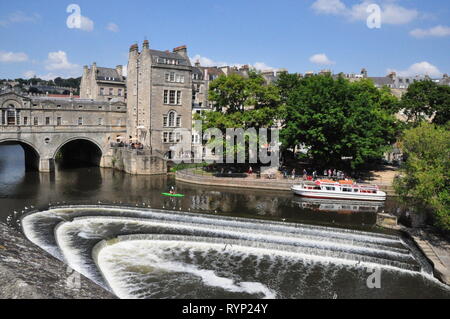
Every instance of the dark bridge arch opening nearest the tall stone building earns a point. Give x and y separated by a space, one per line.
79 151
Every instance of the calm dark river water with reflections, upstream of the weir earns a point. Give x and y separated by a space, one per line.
19 189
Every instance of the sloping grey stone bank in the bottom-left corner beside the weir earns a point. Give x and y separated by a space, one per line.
28 272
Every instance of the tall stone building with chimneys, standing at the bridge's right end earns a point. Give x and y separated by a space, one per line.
159 100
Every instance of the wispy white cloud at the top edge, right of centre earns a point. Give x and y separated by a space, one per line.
391 13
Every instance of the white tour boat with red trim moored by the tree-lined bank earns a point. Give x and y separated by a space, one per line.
339 190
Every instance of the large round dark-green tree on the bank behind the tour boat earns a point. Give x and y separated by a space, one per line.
336 119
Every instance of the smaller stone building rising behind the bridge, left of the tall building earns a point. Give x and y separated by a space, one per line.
103 84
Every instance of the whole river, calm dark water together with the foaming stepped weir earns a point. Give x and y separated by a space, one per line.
119 231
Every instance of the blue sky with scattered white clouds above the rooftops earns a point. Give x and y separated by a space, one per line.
300 35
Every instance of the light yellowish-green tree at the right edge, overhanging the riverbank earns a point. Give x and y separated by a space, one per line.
426 179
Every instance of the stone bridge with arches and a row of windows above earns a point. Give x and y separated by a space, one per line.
73 129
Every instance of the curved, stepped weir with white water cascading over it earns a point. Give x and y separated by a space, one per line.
144 253
